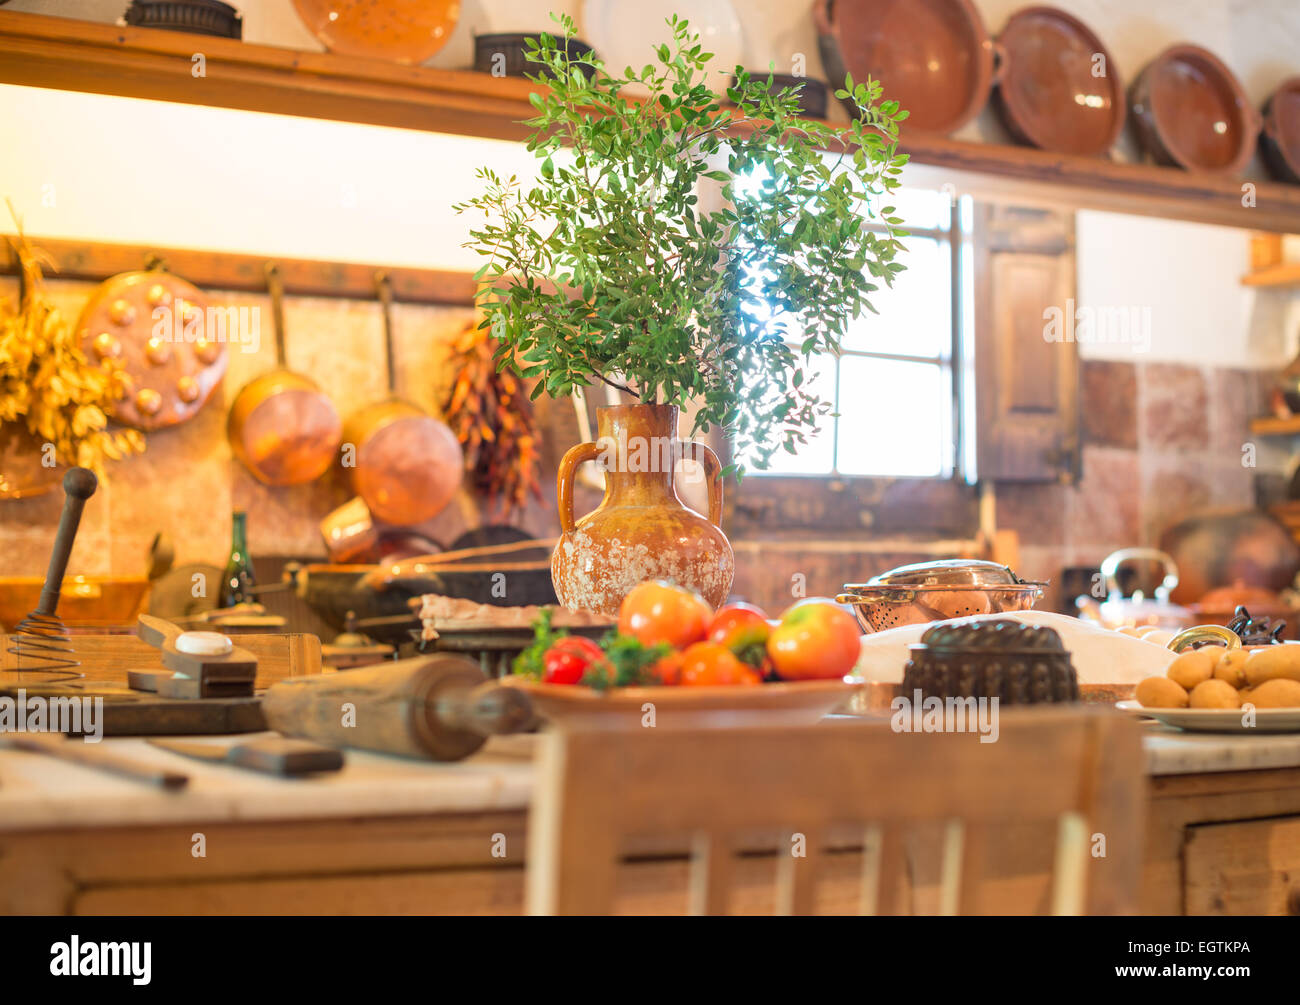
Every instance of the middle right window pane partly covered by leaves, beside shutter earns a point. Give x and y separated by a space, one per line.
916 313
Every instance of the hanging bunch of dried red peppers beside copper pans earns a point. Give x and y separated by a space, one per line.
492 417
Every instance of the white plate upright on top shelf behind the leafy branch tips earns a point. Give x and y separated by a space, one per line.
625 34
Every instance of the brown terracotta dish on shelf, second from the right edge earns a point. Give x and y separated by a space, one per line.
1193 114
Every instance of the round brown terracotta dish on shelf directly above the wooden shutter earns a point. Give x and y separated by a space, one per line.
1058 88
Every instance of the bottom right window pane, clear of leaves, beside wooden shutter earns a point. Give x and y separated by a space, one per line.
894 418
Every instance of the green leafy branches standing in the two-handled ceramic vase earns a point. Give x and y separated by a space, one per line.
612 268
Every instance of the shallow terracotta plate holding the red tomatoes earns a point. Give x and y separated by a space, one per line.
570 707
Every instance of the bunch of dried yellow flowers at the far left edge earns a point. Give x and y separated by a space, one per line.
50 387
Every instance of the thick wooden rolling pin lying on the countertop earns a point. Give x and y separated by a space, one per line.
441 708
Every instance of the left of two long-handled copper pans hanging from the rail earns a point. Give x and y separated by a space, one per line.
281 426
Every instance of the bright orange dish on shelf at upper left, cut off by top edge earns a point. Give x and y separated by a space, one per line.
396 31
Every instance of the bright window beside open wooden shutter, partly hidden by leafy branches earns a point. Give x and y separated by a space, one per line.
896 411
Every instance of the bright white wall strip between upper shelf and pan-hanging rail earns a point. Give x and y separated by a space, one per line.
127 171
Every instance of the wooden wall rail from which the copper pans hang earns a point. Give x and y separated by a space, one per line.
231 271
